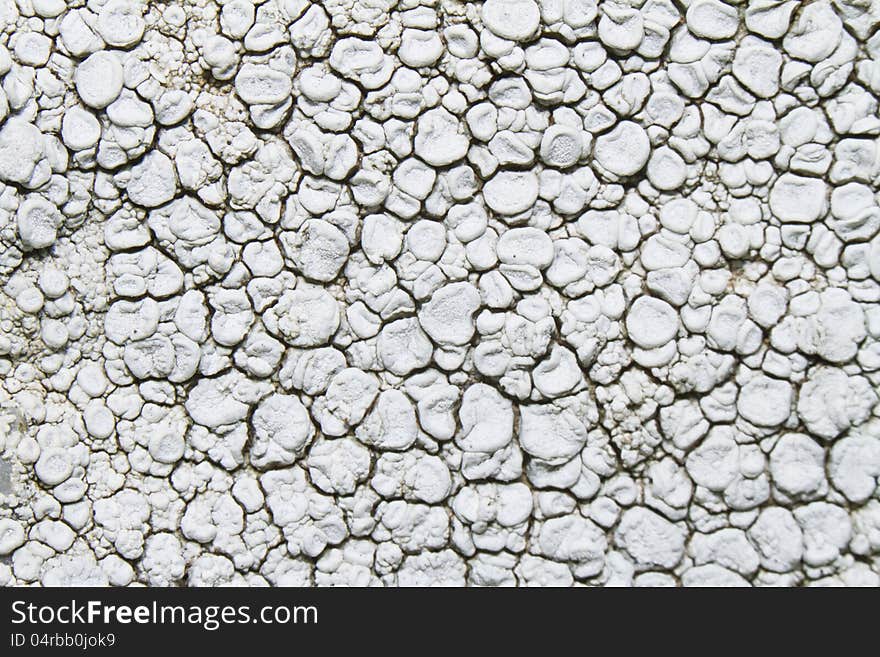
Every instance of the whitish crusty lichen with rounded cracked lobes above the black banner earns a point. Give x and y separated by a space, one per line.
440 292
